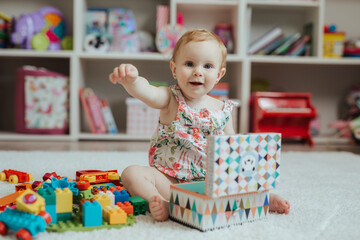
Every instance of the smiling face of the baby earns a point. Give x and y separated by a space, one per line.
197 68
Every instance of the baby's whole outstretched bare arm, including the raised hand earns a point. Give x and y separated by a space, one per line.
138 87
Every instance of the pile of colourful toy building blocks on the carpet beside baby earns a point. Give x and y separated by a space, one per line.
95 200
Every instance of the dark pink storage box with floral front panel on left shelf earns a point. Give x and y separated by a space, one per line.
41 101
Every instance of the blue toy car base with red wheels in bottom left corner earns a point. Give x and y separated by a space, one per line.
25 224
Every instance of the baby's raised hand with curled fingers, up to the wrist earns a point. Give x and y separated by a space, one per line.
124 74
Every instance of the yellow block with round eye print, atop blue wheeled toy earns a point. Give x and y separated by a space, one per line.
31 202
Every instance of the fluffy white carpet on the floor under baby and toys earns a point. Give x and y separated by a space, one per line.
323 189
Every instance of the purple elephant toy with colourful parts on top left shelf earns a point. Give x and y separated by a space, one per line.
40 30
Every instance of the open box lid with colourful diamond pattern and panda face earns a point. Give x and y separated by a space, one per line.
242 163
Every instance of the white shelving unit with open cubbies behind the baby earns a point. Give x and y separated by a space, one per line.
327 79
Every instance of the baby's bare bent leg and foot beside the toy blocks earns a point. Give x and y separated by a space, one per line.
151 185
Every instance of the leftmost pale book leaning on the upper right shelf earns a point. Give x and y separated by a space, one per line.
265 40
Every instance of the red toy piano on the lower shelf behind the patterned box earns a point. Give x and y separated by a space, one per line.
284 112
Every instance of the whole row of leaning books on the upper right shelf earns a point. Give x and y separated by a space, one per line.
274 42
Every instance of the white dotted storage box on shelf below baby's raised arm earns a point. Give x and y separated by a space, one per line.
141 119
